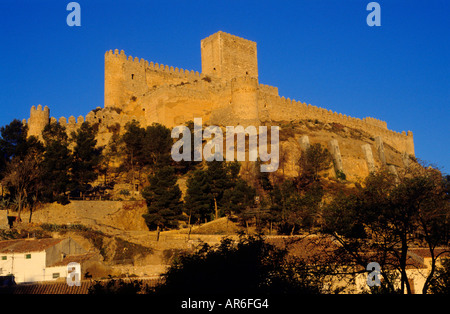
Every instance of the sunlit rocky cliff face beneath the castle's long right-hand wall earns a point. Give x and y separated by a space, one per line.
352 150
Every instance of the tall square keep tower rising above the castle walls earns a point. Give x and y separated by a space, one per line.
227 56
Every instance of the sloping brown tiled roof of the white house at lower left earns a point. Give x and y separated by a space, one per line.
27 245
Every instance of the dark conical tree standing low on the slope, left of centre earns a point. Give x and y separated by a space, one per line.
163 197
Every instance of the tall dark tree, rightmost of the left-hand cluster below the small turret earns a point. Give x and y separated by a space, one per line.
86 158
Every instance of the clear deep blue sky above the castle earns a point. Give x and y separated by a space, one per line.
320 52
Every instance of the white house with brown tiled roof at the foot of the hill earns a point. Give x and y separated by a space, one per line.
32 260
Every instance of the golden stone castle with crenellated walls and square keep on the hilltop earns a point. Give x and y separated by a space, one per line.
226 93
